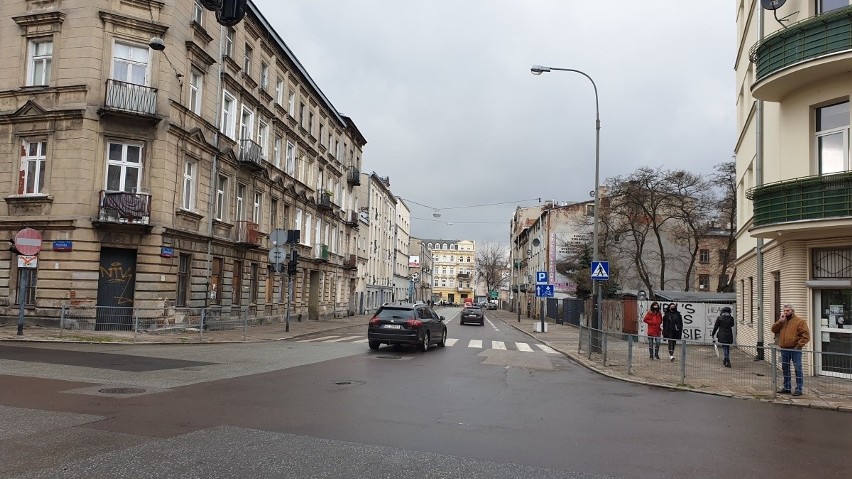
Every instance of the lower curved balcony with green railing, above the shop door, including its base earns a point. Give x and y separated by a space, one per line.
796 205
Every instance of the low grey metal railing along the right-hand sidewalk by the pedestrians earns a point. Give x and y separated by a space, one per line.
695 365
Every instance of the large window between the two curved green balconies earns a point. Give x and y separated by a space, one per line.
832 135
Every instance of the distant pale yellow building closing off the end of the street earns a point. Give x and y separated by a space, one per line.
453 269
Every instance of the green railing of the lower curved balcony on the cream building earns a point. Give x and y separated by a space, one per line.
809 198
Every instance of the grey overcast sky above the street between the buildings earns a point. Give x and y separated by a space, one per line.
442 91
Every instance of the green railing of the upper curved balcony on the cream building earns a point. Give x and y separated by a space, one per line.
805 40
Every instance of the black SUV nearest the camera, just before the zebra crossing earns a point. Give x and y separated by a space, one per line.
406 323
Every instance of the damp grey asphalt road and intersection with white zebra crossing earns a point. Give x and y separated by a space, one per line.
329 407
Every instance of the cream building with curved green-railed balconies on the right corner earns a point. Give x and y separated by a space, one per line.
794 244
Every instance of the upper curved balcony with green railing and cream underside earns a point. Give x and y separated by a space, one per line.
796 56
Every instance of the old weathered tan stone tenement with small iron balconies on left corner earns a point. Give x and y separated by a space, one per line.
156 151
